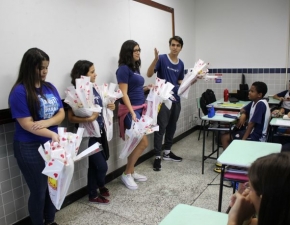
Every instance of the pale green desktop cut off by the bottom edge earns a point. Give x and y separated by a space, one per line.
187 215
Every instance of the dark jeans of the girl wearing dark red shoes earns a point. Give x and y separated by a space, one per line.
97 169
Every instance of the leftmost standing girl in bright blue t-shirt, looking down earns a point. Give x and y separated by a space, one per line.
37 109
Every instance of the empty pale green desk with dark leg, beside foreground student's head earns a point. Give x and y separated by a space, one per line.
243 153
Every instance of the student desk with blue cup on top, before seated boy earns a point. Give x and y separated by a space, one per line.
219 119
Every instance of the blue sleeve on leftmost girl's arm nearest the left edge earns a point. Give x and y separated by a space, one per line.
18 103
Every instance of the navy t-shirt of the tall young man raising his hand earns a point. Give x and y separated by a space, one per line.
171 72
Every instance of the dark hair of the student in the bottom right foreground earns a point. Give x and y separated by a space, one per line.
270 178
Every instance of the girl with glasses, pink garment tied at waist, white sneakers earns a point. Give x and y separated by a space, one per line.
131 105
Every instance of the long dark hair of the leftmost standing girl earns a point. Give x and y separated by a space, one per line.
29 75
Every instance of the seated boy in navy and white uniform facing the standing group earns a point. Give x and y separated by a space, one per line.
258 114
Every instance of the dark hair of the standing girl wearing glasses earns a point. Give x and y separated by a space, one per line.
126 56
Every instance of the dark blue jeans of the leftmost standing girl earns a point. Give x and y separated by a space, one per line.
31 165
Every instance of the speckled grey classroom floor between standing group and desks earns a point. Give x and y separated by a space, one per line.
177 182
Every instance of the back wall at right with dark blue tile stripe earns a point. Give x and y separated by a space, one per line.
249 37
